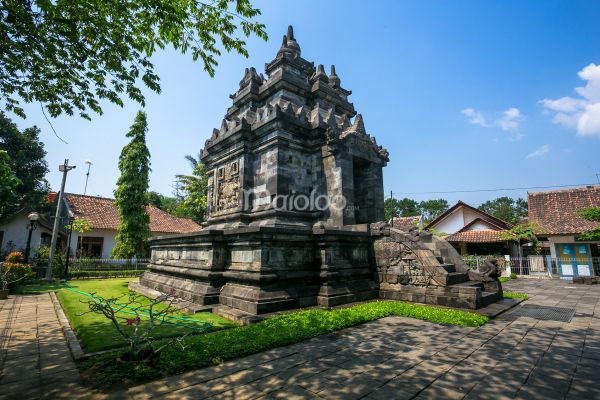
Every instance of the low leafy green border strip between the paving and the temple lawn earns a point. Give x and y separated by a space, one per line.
214 348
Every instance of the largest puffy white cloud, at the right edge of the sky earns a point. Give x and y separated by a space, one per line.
582 113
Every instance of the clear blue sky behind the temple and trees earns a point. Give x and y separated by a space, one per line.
465 95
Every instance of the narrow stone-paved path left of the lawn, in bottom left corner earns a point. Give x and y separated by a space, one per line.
35 361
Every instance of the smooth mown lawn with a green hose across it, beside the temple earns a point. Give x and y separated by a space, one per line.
96 332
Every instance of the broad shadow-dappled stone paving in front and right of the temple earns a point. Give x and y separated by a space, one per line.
399 358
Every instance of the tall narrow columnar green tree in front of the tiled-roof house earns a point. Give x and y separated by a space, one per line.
131 196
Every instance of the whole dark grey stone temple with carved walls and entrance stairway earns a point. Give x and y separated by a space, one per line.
295 210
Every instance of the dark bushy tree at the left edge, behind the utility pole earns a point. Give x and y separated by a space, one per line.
28 163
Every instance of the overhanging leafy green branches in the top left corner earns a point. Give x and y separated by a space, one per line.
71 55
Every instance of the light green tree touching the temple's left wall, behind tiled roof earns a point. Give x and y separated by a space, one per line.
193 191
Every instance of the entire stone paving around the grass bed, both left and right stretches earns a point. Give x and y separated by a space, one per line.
528 353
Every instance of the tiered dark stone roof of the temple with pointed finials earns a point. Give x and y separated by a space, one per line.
300 93
